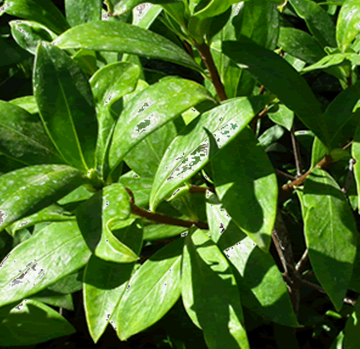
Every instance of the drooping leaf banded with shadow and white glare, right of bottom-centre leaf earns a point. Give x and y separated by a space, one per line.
266 291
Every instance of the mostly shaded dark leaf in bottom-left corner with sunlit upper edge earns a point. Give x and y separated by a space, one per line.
32 322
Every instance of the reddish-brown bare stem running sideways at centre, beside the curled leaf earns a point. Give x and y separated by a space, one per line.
162 219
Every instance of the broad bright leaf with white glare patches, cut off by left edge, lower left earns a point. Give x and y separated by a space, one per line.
41 261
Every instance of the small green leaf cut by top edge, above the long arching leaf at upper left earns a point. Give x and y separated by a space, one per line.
82 11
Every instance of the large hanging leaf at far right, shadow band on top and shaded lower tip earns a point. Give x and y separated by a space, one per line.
331 234
